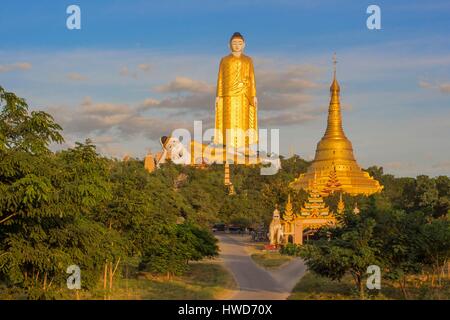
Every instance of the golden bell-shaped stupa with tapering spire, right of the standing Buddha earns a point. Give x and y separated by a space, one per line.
335 153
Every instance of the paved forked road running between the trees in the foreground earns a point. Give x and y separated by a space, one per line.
256 283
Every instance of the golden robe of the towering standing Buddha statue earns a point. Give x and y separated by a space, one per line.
235 109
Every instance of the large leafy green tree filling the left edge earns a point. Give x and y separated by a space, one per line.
43 198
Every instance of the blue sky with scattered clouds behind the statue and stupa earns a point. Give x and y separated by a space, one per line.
136 69
